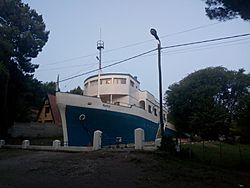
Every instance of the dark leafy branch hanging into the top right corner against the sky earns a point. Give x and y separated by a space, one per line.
228 9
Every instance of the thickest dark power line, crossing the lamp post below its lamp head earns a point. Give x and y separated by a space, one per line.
166 47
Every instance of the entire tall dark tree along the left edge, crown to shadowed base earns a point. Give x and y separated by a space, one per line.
22 37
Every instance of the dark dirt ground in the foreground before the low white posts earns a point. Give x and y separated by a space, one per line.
22 168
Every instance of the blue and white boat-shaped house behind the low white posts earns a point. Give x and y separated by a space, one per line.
114 104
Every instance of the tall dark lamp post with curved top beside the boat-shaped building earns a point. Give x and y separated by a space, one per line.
154 33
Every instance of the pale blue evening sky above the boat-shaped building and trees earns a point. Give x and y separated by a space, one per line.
75 27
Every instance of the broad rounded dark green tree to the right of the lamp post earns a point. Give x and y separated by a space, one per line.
209 102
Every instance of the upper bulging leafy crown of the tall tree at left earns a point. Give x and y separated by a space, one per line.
22 34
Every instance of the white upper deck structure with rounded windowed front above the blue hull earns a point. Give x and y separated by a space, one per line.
121 89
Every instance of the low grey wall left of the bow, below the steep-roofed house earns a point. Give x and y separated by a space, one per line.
37 130
